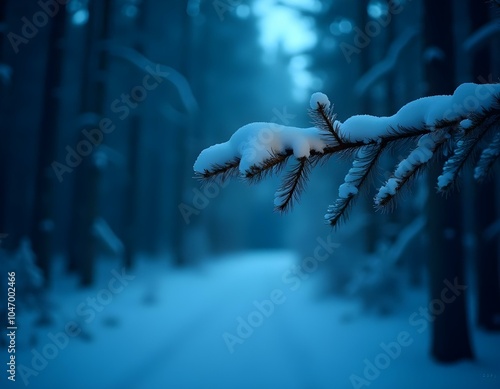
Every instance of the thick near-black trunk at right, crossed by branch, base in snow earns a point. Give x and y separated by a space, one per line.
450 332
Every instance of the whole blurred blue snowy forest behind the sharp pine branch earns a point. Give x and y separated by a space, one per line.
129 274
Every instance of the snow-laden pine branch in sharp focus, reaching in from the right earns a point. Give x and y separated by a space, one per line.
457 122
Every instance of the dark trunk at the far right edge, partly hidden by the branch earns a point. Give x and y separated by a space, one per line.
487 254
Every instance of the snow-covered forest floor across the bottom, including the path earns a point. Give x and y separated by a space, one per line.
165 330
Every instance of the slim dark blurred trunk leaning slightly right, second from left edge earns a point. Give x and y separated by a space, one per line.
43 223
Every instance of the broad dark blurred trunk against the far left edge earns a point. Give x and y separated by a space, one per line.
22 86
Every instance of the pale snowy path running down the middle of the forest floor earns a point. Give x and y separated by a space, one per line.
202 350
